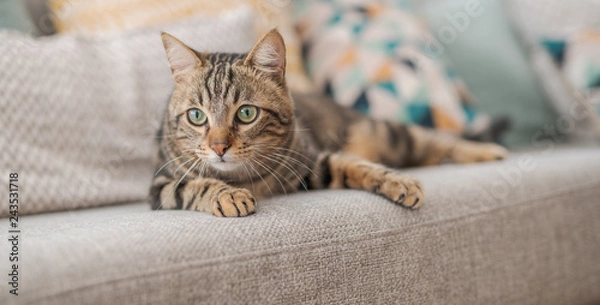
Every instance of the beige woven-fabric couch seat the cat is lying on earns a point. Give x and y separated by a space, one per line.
522 231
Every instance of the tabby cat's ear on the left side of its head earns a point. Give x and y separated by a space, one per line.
181 58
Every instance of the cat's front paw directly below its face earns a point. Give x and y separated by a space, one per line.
234 202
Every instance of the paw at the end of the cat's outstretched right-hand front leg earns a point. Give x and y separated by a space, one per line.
401 189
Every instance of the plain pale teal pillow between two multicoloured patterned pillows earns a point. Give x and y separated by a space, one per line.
477 36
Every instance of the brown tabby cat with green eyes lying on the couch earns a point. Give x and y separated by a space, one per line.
233 133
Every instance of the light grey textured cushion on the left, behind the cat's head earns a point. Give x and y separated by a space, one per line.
79 114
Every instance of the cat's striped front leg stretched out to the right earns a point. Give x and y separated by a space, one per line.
341 170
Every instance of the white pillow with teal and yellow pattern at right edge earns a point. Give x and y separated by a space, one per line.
558 25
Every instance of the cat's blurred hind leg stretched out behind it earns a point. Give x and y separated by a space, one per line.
398 145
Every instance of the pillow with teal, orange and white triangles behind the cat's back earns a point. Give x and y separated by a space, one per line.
375 56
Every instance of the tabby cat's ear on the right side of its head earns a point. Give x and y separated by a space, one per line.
268 56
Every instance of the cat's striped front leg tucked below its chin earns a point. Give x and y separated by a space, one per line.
204 194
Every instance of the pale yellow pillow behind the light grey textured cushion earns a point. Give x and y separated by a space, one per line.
102 16
